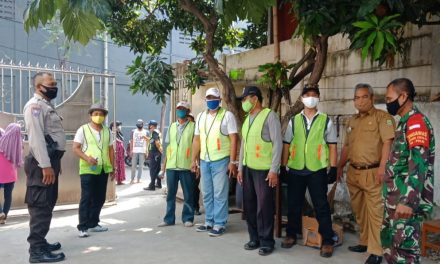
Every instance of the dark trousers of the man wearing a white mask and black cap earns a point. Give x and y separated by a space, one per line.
316 183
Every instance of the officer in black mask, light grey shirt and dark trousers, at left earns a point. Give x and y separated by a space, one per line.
42 166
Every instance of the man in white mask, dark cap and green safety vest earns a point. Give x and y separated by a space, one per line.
309 149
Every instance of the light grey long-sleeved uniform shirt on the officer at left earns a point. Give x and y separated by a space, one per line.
41 119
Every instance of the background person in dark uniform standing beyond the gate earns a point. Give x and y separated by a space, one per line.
155 156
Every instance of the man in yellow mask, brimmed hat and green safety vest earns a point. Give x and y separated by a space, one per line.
93 145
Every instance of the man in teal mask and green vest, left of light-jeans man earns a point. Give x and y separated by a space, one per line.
178 166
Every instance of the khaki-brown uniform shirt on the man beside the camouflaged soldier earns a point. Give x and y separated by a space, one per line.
366 134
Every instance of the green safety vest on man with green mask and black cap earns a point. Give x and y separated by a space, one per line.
257 152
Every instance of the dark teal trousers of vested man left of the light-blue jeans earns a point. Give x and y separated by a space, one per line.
186 179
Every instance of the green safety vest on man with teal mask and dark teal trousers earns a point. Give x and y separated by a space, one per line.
179 152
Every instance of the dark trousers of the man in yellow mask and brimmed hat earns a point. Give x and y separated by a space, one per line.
93 192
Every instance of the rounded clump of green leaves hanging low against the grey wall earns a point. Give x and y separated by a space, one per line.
151 75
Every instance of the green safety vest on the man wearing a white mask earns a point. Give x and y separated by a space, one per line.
309 151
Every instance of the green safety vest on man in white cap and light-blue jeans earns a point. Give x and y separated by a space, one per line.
213 143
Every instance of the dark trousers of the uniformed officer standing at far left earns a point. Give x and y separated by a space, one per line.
41 200
